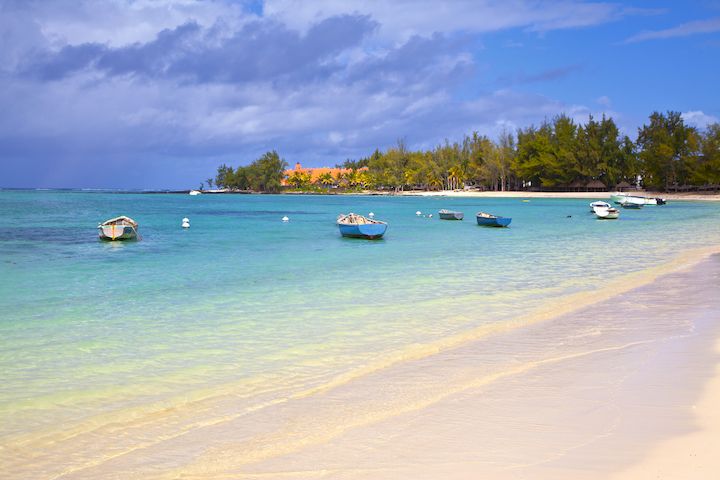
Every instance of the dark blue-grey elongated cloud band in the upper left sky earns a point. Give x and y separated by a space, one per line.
261 50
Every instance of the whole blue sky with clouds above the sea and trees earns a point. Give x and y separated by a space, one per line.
155 94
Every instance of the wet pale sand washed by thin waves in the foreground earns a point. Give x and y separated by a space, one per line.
455 412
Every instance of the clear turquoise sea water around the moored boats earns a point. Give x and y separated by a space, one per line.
243 310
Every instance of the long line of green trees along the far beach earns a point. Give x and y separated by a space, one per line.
558 154
